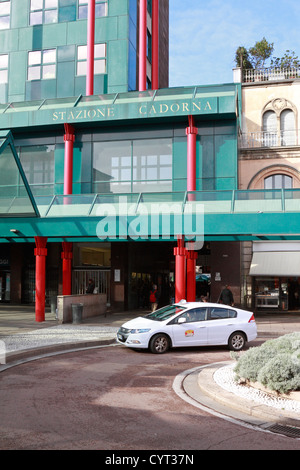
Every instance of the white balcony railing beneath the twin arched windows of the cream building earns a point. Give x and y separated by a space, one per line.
269 139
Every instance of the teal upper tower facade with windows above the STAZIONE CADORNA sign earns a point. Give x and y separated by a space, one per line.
43 46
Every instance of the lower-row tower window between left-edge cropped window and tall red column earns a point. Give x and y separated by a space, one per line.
42 64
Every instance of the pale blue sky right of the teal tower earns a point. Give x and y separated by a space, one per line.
205 34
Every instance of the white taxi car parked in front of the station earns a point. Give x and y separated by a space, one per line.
189 324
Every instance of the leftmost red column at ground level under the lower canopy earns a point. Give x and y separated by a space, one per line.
40 277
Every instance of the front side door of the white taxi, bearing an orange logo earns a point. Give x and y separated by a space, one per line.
193 329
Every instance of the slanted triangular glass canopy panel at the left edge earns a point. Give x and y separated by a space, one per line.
15 197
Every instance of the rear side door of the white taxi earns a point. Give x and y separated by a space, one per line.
222 322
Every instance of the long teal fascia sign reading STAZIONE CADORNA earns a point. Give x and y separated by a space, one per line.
122 107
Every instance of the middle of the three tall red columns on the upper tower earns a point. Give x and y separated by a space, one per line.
143 46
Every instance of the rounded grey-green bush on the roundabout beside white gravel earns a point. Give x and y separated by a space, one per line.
275 364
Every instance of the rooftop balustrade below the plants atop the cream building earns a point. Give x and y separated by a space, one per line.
270 74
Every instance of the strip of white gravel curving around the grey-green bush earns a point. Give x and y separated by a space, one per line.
224 377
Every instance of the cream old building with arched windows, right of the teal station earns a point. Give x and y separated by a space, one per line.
269 160
